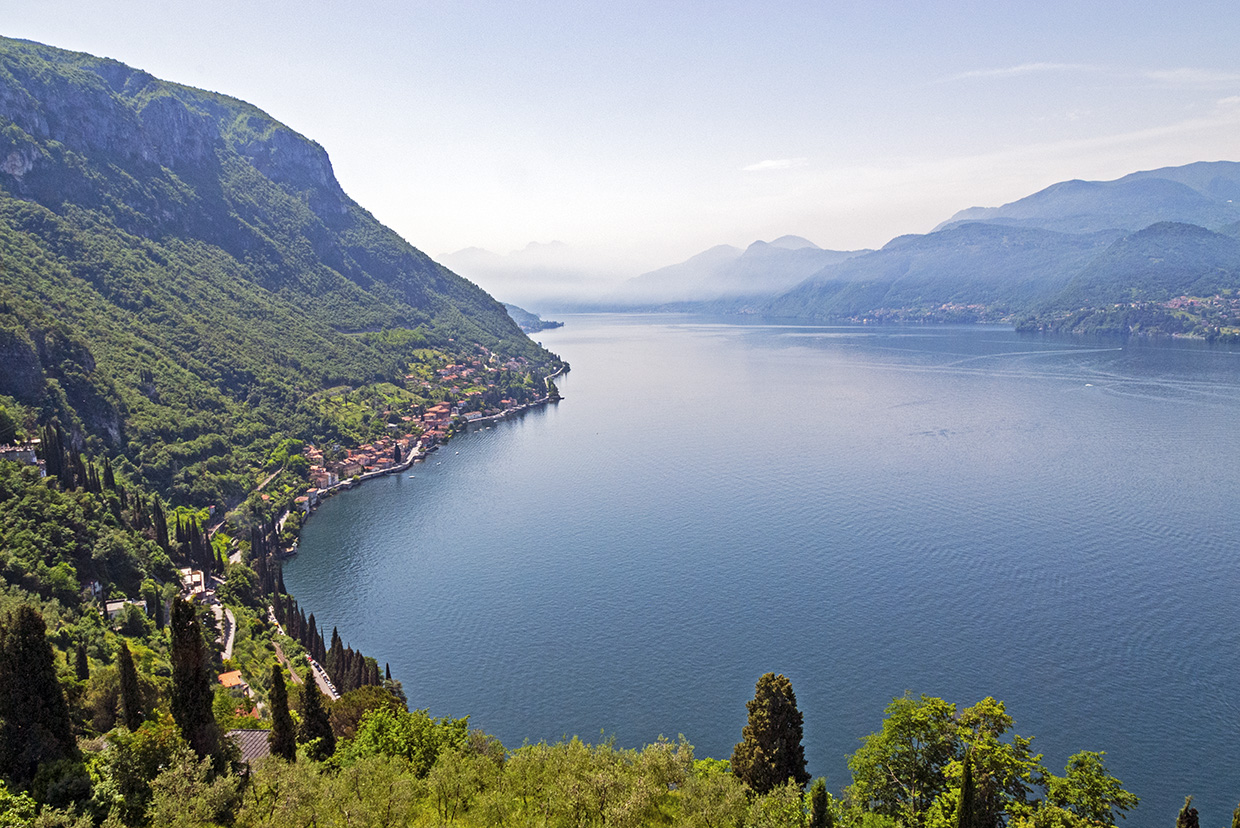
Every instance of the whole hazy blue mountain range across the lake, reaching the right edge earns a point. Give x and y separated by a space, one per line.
1053 261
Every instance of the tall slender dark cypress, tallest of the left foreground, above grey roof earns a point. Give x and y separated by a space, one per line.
193 686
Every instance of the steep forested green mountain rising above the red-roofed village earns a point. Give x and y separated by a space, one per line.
184 280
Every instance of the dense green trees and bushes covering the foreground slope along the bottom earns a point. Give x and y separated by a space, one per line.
102 737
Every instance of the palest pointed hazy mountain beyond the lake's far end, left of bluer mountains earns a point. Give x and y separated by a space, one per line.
762 270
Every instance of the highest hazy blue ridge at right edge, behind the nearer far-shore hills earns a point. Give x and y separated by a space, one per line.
1206 194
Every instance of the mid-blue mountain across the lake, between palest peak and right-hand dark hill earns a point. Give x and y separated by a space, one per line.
964 265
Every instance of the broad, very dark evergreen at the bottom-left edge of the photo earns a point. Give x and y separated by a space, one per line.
34 717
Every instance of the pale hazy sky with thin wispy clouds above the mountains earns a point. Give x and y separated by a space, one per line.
653 131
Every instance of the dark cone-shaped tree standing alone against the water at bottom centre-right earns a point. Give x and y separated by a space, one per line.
771 751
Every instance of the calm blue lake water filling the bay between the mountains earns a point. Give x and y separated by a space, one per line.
953 511
